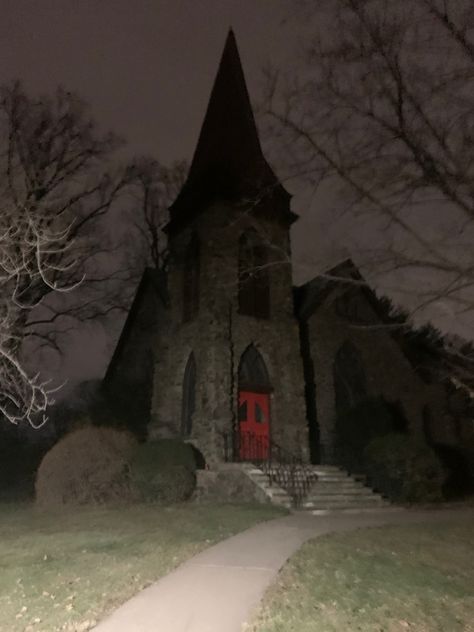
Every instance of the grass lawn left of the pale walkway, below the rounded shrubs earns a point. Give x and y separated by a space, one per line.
60 570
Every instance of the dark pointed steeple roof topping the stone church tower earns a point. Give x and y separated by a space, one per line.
228 162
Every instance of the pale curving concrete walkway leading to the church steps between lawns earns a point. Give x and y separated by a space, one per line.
218 590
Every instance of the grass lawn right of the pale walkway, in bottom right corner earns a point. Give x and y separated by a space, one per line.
413 578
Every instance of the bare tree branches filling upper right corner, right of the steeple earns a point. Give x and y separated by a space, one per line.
383 108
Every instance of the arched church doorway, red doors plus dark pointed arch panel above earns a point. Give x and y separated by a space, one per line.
253 407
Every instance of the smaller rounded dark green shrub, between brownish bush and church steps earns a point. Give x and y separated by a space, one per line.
164 471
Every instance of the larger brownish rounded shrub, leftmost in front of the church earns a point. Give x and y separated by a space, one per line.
89 465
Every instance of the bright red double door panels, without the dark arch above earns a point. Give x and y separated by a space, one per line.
254 426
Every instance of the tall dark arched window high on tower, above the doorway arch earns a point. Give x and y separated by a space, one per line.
254 283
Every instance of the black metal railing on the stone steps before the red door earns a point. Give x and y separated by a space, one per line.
282 468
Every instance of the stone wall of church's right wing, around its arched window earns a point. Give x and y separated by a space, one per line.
388 371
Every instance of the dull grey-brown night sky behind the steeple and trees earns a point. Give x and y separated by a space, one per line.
146 68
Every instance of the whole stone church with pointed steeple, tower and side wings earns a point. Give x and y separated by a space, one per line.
223 351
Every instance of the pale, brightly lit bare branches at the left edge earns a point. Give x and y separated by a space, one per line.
29 254
